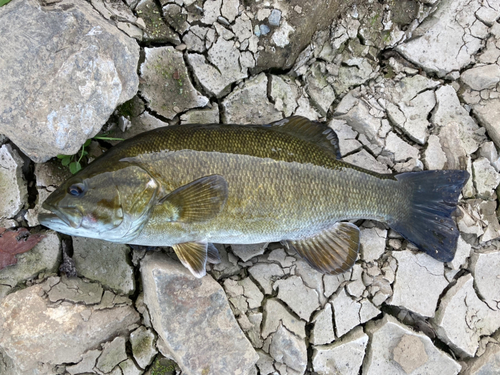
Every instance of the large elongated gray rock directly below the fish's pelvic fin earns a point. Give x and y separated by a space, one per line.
193 317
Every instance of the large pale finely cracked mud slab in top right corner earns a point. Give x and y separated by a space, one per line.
444 41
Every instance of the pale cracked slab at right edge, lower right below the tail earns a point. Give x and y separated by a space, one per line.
462 318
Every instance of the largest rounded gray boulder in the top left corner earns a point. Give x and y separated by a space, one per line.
73 91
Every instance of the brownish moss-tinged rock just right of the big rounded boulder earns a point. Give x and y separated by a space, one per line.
166 86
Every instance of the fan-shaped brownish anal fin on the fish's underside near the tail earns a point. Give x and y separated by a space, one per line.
333 250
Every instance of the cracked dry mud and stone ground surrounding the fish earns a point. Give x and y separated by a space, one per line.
407 85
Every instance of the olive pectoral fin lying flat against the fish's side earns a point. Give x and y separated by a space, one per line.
199 200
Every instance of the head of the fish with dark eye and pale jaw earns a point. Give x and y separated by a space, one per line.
112 205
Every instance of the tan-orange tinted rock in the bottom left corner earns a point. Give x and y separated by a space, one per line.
34 332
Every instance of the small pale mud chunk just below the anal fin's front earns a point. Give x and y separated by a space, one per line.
301 299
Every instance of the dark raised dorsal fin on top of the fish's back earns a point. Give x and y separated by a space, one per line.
315 132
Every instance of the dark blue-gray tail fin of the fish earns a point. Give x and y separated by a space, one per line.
427 220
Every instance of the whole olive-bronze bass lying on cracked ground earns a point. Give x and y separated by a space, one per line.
191 186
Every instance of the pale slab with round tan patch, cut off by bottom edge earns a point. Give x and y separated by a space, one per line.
392 343
